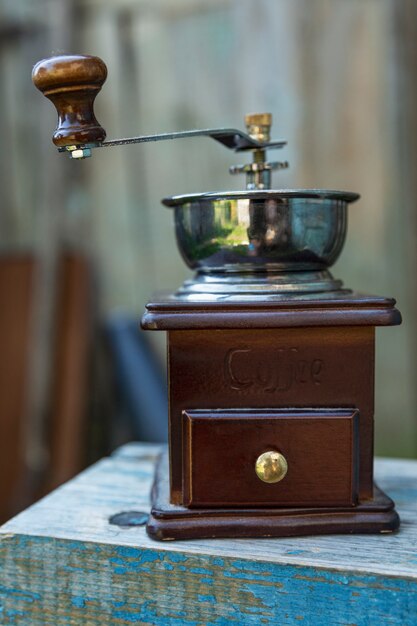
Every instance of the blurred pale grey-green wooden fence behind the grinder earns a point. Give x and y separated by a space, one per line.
339 77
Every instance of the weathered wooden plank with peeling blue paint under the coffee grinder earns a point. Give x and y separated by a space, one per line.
62 562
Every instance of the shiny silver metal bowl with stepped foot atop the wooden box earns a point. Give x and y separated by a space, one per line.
261 241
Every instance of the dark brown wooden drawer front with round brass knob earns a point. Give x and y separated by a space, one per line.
270 457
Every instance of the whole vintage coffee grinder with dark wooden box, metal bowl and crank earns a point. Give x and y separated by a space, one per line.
270 359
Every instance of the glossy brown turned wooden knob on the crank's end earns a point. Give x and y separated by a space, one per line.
72 83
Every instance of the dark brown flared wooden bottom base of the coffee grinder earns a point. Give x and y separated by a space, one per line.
169 522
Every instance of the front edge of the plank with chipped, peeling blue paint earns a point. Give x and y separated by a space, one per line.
141 589
